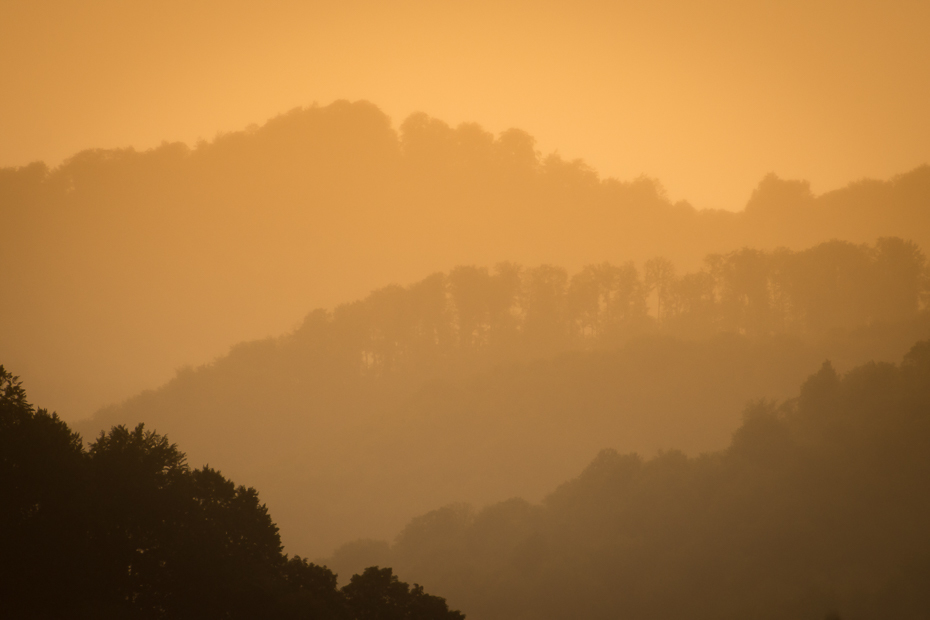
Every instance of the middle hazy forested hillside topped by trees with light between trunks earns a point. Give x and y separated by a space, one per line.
479 385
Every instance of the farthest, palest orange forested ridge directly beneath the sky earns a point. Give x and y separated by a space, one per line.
123 266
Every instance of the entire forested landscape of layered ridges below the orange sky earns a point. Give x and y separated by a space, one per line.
454 364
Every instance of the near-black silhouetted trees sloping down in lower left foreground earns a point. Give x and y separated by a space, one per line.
126 529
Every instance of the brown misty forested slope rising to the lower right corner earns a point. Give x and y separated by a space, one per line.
817 509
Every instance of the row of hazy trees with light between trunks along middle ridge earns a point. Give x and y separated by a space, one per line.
512 312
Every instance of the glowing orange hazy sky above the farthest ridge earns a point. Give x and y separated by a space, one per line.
705 96
